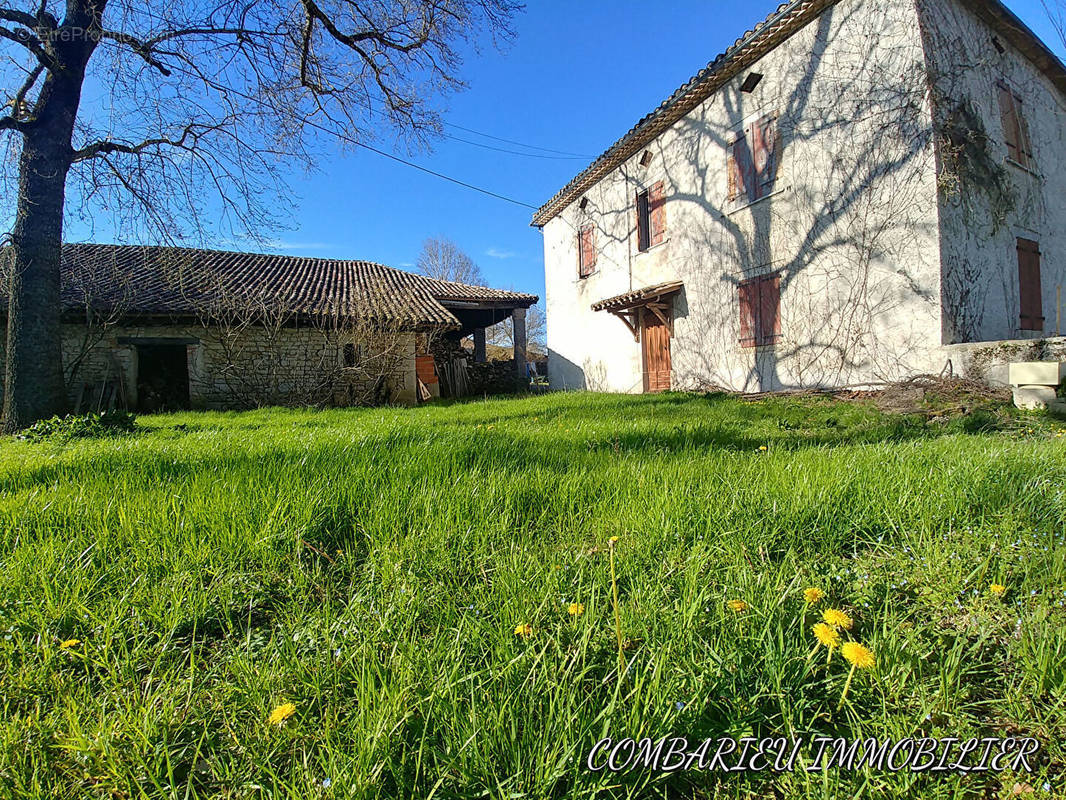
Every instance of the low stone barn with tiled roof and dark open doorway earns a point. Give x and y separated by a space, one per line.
168 328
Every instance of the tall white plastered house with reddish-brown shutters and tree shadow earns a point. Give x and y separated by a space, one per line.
855 191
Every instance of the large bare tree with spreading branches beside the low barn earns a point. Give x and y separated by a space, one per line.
203 99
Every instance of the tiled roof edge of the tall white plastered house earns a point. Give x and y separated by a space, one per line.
787 20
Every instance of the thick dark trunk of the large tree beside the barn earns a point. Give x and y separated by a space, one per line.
35 388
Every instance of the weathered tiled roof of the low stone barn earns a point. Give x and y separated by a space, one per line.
153 281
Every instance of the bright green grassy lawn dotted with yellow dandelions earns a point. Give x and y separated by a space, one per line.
370 567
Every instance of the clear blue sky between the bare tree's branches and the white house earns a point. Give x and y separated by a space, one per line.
576 78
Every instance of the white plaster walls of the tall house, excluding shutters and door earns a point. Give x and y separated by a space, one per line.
862 226
